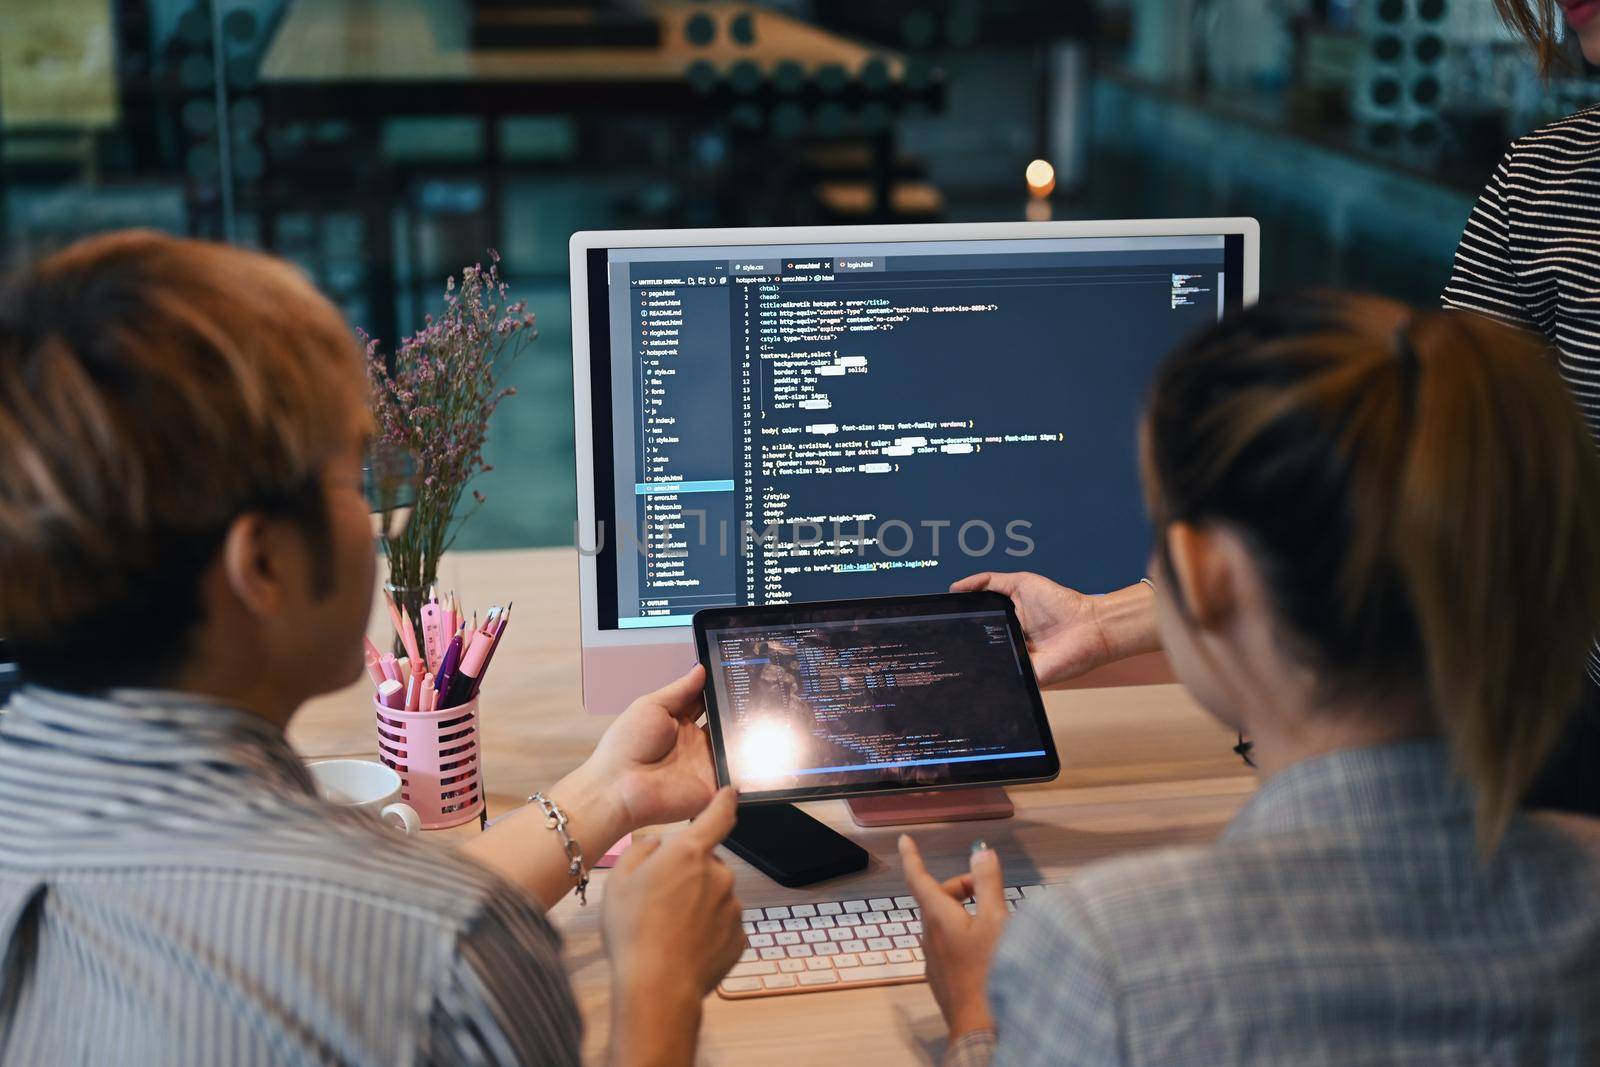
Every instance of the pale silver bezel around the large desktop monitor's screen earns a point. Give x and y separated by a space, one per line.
586 370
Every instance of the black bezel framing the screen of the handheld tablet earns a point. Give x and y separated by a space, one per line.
1031 770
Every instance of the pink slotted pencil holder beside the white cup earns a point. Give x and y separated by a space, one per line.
439 759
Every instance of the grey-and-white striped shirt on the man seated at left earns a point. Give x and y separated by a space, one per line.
172 892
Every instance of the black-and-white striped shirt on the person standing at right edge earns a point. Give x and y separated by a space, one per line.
1530 255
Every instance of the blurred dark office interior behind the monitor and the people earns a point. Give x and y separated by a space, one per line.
386 143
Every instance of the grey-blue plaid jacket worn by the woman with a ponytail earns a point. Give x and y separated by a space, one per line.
1345 917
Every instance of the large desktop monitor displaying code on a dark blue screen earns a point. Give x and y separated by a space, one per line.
822 414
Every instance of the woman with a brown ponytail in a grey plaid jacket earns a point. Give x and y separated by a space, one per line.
1378 554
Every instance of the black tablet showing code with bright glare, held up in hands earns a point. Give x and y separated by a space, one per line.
868 697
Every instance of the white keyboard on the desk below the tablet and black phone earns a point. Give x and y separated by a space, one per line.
836 945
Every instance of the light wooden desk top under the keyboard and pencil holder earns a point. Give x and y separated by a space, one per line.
1143 767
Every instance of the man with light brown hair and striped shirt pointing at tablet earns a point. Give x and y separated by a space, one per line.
186 556
